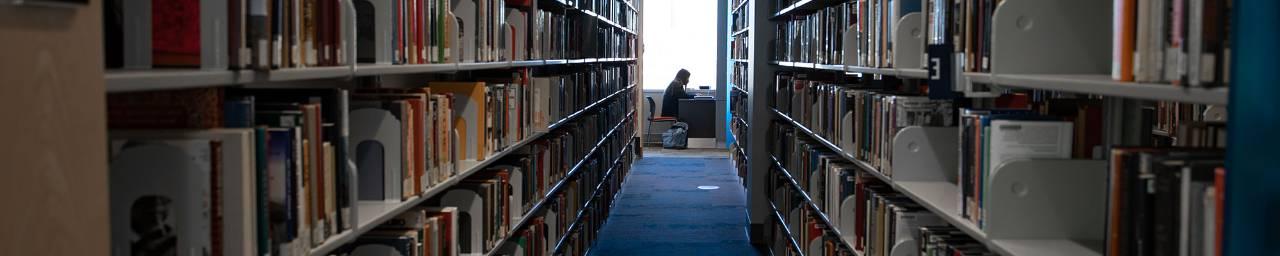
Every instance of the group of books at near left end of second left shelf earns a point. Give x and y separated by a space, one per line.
231 171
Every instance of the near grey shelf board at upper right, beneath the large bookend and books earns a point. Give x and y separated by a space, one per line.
1105 86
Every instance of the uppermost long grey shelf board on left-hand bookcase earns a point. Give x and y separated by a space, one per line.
153 80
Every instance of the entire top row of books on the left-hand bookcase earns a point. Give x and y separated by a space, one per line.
280 34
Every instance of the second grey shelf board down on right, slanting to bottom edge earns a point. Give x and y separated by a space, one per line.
940 198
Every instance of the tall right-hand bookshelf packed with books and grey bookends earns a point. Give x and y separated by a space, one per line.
1064 57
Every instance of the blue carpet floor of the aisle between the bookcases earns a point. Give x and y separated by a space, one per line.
662 212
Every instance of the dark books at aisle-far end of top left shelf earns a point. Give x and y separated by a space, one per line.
575 35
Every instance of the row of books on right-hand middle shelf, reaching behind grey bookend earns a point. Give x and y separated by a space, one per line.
861 118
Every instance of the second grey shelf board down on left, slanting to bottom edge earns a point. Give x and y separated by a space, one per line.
373 213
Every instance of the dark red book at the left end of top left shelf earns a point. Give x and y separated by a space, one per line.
176 33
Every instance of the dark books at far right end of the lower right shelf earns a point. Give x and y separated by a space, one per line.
1165 202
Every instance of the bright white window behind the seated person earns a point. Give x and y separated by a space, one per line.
679 35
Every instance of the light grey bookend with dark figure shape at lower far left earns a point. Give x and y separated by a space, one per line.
161 191
